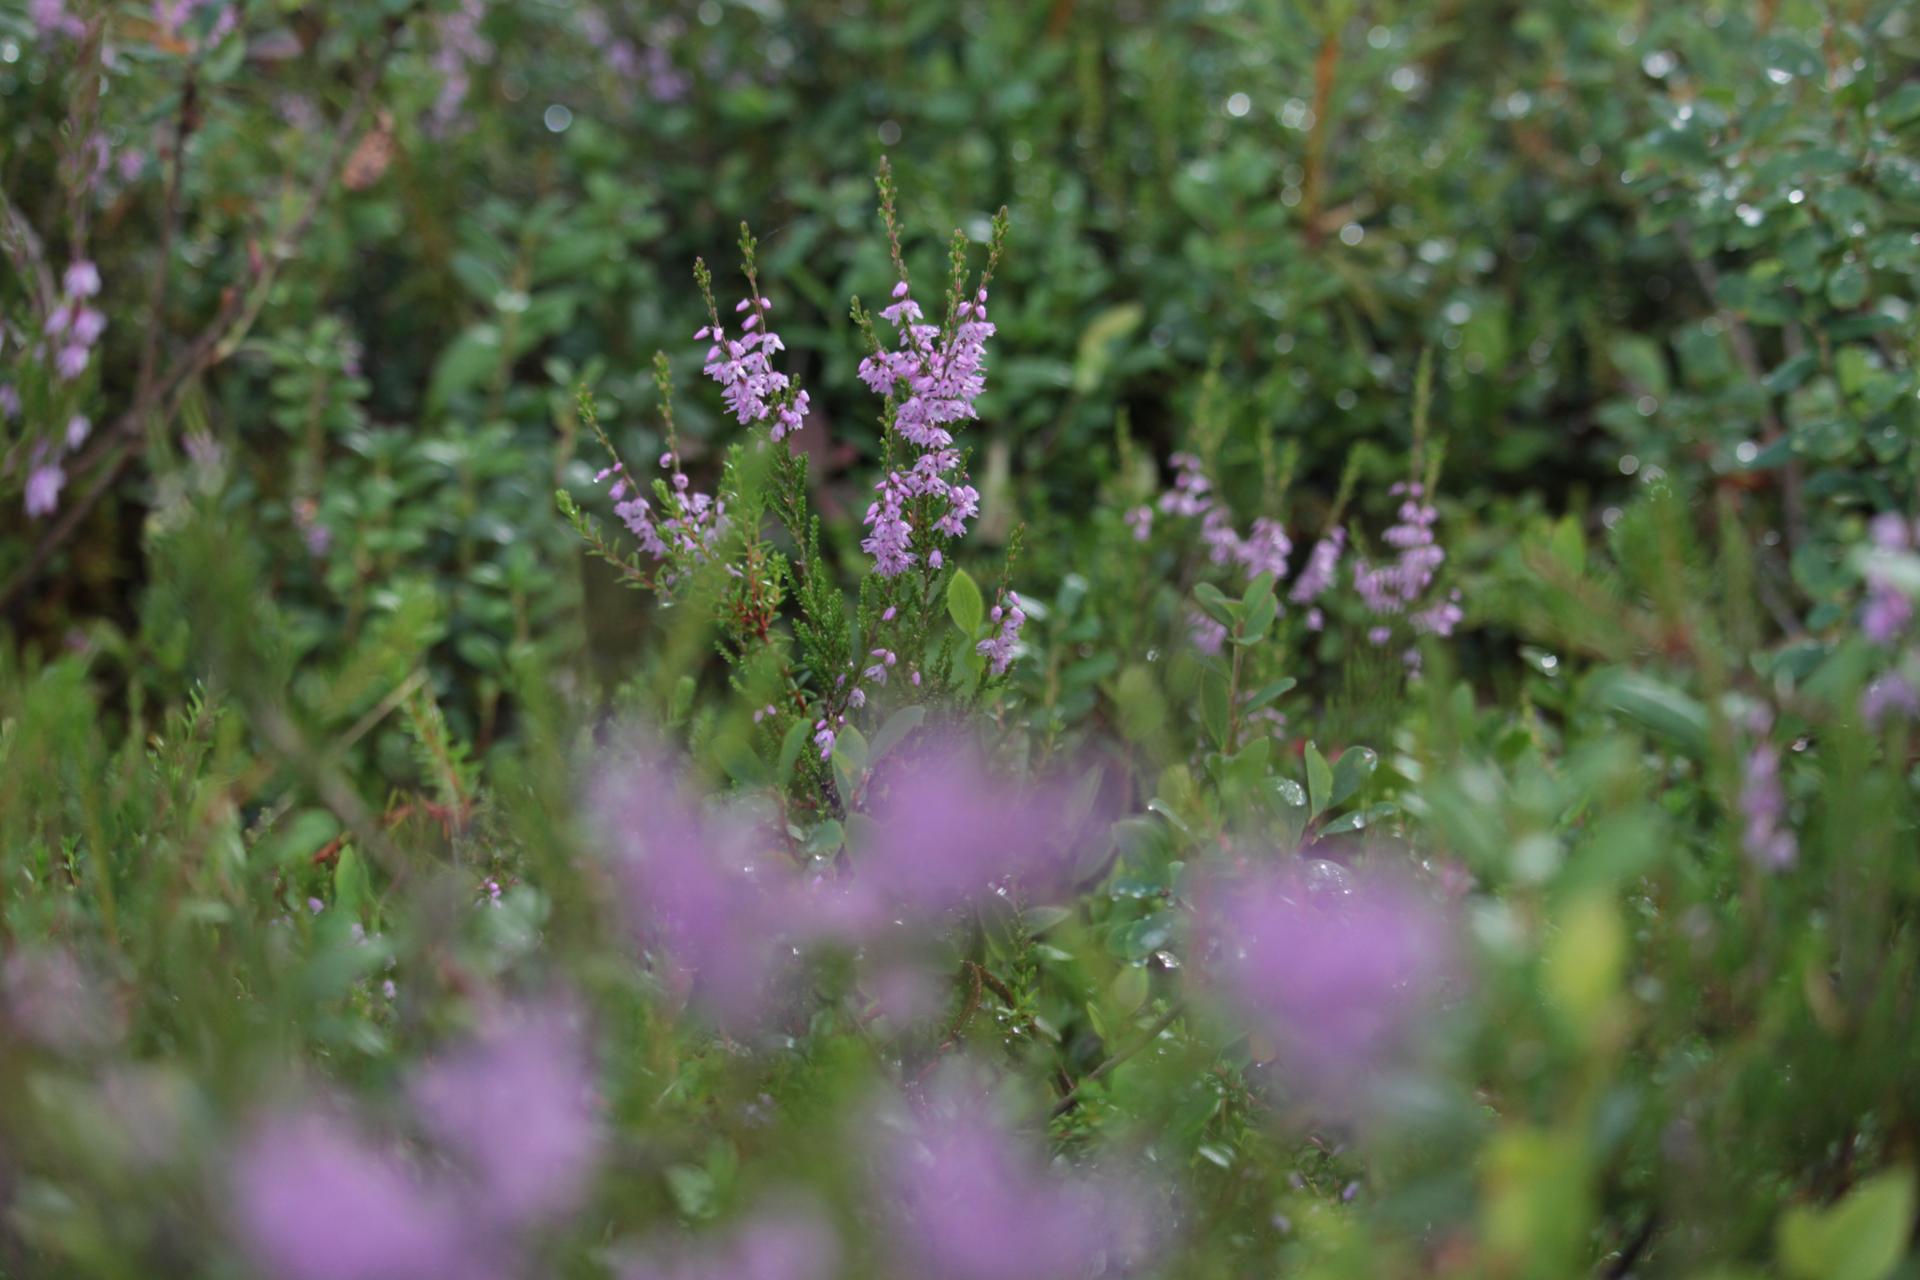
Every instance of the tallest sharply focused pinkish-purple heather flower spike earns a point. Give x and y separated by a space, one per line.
930 381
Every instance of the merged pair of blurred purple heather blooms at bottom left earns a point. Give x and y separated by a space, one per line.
316 1197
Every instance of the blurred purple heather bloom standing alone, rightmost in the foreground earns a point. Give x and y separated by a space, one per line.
1337 970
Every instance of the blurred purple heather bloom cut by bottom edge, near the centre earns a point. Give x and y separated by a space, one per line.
967 1200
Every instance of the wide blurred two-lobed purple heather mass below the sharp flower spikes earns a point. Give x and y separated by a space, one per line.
721 901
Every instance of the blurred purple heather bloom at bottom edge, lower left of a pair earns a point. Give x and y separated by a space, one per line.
316 1200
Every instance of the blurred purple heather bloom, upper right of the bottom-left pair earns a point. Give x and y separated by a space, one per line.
517 1108
